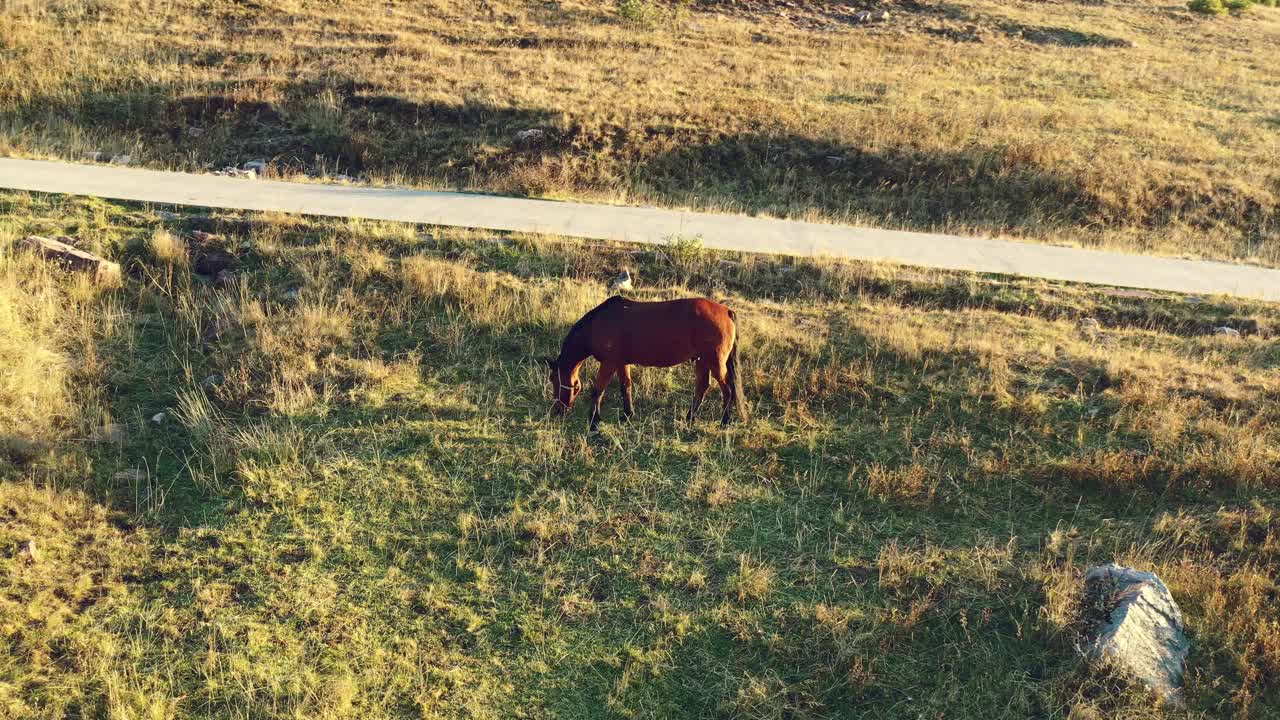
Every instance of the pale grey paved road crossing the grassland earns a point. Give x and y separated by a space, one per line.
647 225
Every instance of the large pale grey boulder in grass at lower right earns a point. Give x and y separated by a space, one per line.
1142 634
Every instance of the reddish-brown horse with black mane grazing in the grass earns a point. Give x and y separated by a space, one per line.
621 332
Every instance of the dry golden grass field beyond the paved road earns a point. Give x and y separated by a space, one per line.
1137 126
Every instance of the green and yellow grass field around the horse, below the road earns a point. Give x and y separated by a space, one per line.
356 504
